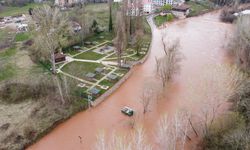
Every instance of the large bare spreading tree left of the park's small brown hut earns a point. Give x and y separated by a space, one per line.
50 25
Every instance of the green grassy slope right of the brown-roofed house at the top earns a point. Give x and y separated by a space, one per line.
198 8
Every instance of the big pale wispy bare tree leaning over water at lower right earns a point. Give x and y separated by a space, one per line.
216 84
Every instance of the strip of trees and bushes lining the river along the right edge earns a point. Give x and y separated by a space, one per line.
232 131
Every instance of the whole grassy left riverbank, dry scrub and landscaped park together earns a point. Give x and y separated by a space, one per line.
29 89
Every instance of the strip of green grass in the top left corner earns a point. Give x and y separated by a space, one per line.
14 11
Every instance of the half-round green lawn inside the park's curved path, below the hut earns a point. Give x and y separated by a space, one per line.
80 69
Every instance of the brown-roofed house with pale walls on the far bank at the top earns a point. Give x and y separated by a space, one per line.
181 11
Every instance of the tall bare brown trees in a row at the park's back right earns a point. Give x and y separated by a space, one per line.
129 27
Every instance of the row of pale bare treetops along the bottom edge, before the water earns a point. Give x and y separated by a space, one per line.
170 133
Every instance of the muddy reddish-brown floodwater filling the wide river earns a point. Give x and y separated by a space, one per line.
201 39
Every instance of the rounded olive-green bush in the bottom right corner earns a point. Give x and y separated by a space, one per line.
227 133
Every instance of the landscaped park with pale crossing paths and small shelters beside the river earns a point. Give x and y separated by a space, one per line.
93 65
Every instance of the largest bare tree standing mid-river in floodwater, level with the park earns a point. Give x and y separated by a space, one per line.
168 65
